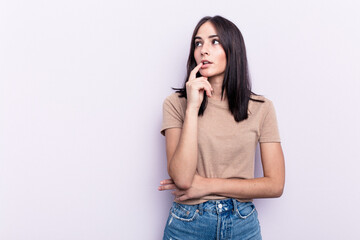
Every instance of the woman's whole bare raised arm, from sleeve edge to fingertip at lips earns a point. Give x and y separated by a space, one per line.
182 145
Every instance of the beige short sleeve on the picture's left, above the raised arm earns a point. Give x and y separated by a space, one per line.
172 113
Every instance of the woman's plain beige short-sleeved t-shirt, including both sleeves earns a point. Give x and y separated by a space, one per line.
226 149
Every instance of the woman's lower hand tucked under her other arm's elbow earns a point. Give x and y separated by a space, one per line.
198 189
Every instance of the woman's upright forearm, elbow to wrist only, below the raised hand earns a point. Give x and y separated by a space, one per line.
183 164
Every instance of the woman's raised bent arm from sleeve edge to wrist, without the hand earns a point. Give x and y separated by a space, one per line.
182 150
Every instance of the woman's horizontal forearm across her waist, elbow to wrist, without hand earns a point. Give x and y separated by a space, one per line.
264 187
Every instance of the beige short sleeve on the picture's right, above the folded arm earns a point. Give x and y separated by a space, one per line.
269 131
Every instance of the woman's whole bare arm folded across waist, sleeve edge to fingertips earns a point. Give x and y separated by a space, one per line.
269 186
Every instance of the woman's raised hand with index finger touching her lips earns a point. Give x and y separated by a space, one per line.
195 88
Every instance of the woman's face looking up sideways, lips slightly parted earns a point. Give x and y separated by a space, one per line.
208 48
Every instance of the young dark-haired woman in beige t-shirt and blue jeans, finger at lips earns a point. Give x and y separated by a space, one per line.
212 127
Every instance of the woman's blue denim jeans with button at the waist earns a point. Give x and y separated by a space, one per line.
213 220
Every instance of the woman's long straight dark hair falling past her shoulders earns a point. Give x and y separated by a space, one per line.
236 77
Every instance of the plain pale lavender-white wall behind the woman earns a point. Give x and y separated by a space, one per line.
81 90
